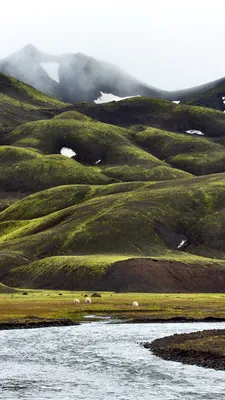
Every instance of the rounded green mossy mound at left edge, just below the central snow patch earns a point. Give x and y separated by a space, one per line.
26 170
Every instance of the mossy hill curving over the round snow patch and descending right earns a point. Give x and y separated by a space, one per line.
120 157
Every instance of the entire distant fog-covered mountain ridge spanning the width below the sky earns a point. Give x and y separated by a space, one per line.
78 77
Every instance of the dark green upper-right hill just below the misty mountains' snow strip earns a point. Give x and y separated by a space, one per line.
142 111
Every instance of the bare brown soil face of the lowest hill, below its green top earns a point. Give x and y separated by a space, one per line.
140 275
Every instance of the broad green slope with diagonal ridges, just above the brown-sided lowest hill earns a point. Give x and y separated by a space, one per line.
96 219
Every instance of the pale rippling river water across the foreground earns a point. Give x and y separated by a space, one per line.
101 361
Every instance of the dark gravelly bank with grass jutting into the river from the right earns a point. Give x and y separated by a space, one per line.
205 348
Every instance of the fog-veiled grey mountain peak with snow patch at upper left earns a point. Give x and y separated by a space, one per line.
72 77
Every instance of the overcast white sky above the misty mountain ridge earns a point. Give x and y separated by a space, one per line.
170 44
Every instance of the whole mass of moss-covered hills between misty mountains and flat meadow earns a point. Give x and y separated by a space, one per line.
140 206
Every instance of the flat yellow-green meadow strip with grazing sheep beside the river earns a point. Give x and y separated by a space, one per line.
48 304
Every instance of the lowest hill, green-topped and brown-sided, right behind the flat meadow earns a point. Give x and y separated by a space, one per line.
121 273
